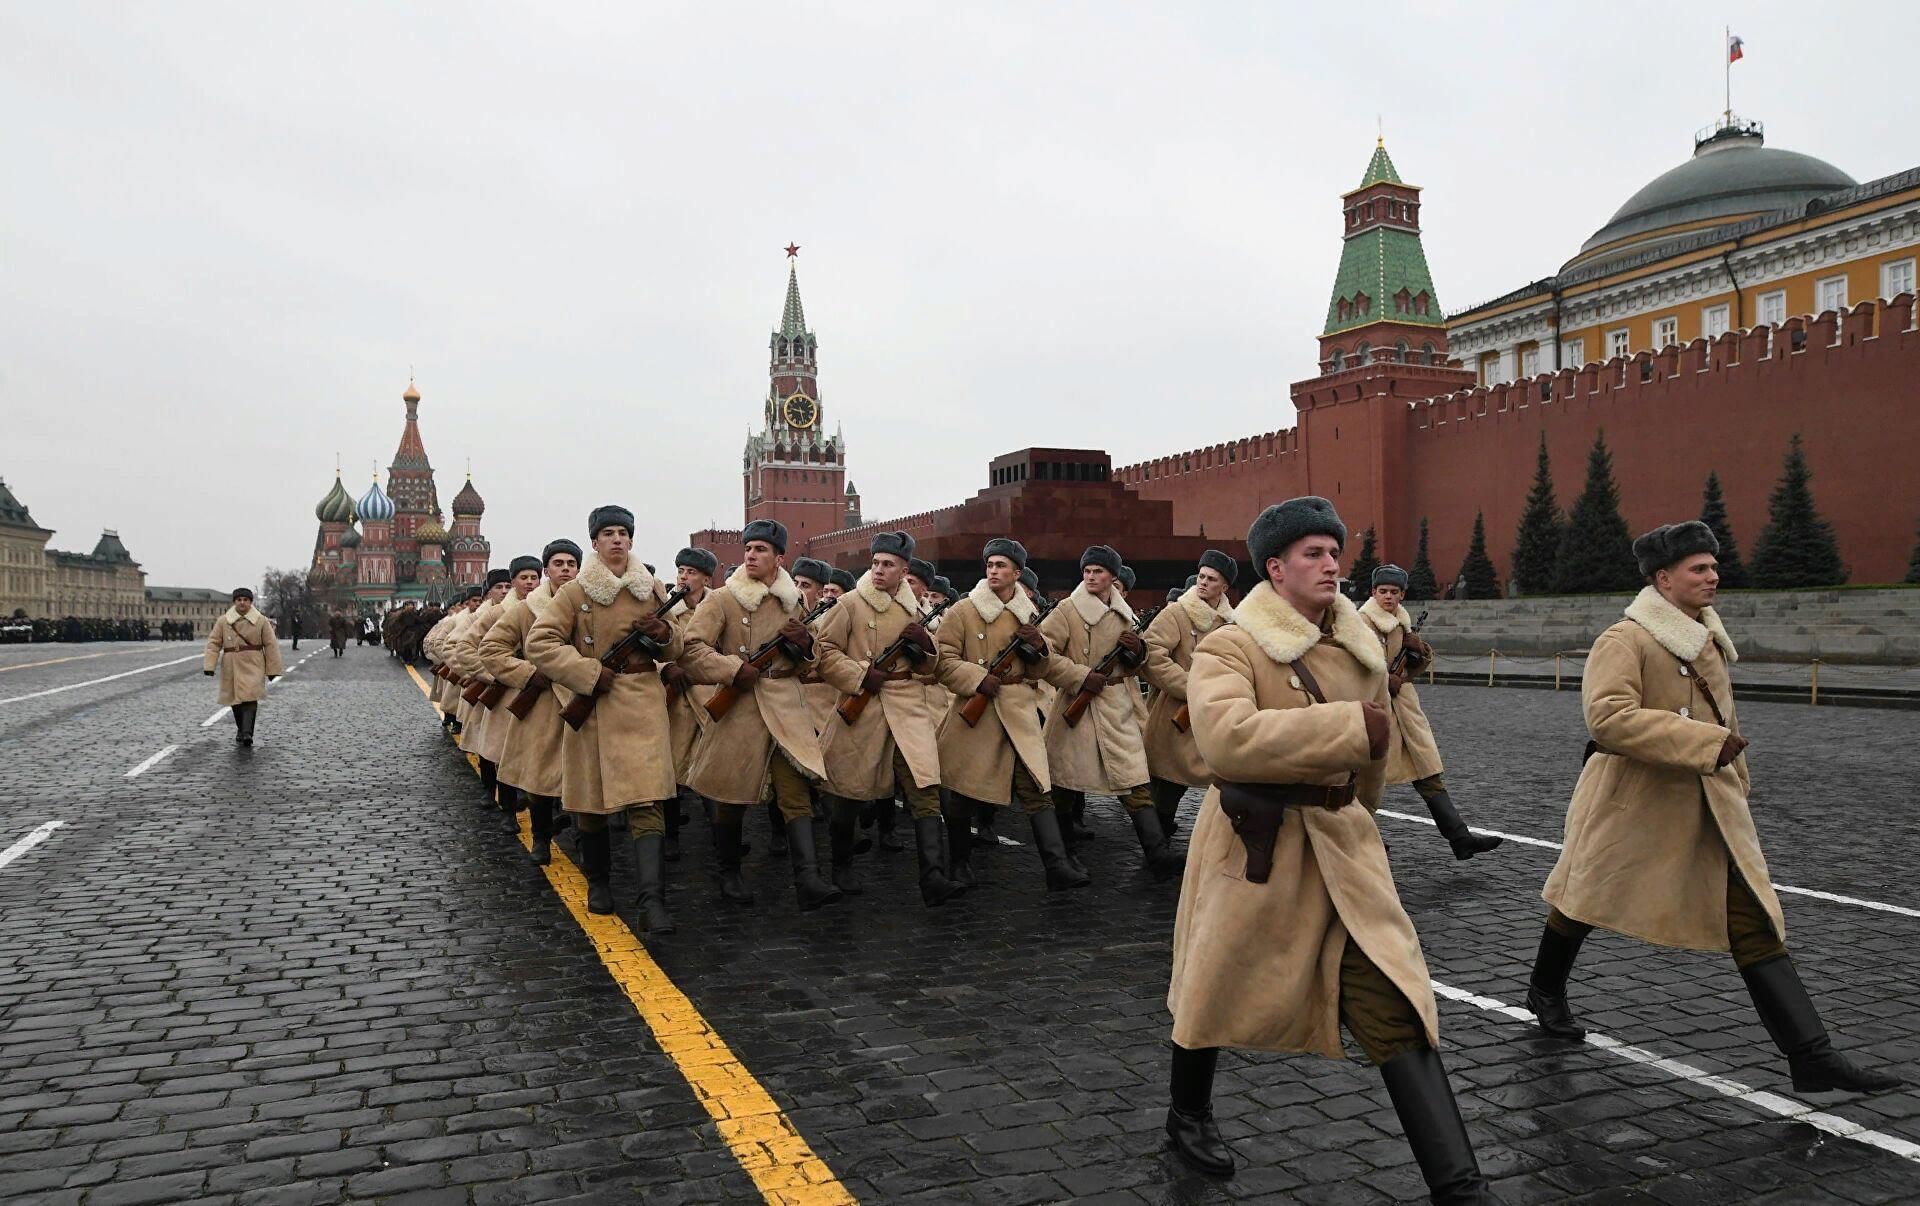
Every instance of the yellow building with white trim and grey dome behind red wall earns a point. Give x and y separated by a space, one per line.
1739 237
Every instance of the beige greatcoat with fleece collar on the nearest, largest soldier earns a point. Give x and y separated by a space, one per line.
1259 965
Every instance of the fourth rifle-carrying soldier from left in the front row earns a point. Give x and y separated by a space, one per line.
1003 758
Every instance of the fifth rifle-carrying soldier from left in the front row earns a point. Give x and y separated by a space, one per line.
1105 752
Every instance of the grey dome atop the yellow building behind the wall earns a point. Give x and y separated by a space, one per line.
1733 178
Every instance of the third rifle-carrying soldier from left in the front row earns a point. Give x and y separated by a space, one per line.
894 742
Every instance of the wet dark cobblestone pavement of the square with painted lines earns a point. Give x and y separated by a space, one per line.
318 971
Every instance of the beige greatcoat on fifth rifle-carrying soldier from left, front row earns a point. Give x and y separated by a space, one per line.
1107 750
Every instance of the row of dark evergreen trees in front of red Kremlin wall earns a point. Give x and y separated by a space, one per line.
1589 550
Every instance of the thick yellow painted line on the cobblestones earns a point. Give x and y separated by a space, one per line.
763 1138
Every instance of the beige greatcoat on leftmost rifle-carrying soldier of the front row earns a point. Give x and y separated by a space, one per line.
623 754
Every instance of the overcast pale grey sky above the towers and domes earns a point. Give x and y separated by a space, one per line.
228 231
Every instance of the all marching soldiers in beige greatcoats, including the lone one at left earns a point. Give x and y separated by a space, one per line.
590 688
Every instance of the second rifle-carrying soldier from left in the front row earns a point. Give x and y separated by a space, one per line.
767 740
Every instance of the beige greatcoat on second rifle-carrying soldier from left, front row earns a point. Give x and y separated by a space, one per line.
732 761
